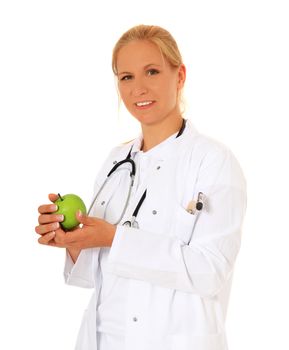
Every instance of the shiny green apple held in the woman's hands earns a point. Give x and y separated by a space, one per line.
68 205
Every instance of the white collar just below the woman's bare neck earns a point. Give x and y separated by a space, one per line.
161 150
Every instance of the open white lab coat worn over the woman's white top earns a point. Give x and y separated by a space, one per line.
179 265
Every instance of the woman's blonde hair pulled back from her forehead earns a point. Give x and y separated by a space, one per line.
156 35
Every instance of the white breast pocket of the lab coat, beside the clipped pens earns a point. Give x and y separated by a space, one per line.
183 224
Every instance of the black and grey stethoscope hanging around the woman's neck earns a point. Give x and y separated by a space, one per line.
131 223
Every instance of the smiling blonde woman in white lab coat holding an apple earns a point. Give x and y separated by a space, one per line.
163 281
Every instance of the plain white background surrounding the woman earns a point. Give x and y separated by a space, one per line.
59 119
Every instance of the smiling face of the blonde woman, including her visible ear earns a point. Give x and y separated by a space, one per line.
145 77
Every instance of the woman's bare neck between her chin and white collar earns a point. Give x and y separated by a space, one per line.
157 133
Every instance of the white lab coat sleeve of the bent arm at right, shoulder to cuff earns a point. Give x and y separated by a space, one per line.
203 263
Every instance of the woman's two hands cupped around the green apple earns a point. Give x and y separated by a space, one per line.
94 232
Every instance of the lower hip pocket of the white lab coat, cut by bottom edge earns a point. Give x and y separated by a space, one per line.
199 342
